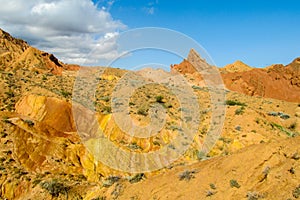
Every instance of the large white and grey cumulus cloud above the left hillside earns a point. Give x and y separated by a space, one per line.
70 29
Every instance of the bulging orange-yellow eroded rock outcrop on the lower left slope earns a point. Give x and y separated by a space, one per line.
45 140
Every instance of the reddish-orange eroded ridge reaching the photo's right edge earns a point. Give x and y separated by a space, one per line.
278 82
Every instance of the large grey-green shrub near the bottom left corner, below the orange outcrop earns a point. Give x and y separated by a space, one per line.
55 188
